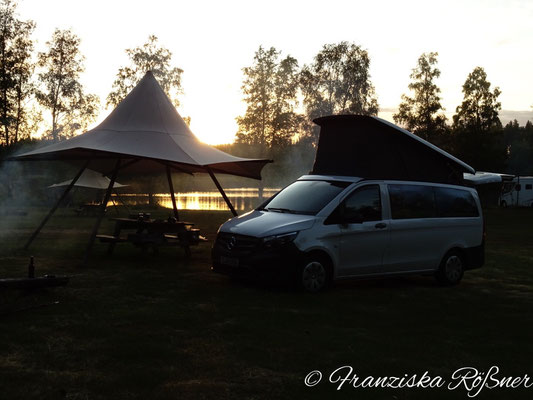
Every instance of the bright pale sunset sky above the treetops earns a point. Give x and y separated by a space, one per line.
213 40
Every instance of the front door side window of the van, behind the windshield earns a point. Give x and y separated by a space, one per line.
364 204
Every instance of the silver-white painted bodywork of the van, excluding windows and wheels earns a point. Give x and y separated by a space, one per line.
371 248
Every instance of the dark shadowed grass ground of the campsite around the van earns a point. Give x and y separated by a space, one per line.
147 327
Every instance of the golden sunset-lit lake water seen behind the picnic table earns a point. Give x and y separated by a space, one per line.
243 199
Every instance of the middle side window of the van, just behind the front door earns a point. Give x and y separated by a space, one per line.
412 201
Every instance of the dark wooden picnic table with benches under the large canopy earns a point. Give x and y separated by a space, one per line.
149 233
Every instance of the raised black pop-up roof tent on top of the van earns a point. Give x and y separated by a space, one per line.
372 148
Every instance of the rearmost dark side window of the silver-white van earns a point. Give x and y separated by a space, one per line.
455 203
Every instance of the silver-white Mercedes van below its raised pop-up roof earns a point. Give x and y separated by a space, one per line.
324 228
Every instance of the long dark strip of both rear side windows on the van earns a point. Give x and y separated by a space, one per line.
420 201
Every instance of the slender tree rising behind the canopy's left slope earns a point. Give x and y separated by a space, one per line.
60 89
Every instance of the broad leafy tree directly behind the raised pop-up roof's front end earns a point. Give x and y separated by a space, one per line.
338 82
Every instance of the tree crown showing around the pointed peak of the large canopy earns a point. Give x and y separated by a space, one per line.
149 57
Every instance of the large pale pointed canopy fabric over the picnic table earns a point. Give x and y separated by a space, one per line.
146 128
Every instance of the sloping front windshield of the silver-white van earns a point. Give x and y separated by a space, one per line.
304 197
